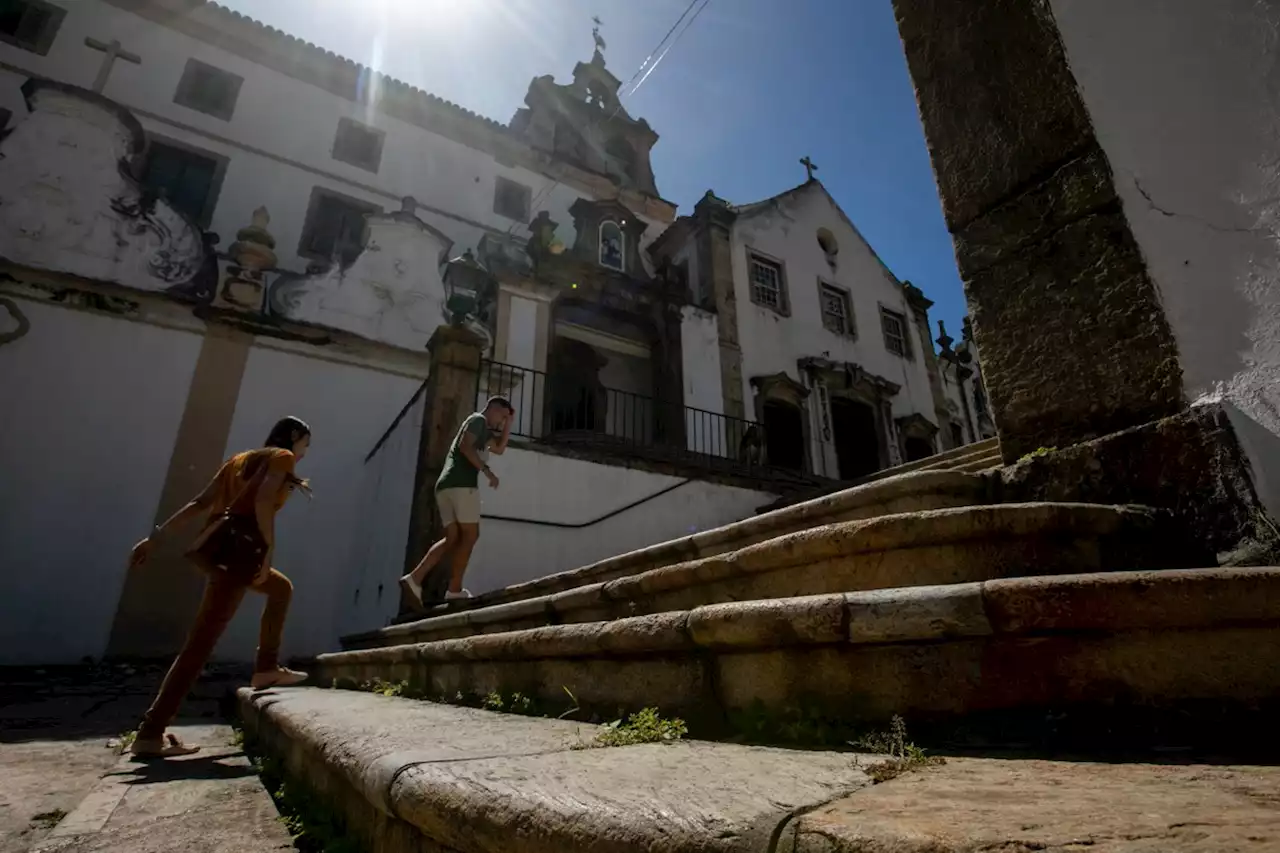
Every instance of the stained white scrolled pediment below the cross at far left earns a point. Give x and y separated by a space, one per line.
70 203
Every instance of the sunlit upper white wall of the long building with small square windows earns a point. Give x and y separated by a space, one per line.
280 139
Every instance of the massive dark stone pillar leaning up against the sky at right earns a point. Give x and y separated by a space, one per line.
1073 339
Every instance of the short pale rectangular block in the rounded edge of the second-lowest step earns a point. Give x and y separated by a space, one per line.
920 614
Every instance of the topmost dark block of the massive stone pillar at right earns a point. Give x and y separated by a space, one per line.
996 98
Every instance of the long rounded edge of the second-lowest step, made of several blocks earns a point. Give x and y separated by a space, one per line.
1113 601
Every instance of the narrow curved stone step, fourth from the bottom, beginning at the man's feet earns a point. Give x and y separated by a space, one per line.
924 491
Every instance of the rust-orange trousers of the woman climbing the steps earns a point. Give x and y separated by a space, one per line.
220 604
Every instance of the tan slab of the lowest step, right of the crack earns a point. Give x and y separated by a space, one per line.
971 806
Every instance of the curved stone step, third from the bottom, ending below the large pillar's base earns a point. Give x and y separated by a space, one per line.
904 550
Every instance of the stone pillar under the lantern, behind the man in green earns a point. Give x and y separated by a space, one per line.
450 398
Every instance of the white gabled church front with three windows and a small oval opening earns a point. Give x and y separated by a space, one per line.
772 344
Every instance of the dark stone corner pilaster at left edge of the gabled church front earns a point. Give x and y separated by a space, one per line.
715 223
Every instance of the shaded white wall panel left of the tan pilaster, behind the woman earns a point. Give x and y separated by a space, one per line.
90 412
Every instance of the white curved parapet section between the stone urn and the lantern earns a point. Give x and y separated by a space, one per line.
394 293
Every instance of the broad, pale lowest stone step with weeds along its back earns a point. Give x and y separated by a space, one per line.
410 777
